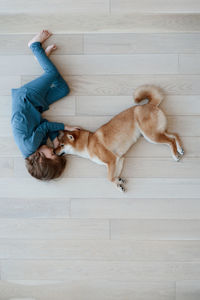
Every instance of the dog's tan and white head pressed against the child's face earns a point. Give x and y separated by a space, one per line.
67 141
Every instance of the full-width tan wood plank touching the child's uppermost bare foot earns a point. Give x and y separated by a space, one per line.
132 23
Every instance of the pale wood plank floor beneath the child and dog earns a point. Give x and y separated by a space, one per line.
78 238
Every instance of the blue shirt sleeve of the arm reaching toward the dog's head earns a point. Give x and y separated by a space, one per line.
45 129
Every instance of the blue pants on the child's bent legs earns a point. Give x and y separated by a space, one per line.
49 87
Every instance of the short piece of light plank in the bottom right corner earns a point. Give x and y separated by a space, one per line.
188 290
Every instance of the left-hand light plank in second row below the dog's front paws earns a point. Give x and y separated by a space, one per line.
54 229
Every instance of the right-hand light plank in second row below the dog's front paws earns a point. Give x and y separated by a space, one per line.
155 229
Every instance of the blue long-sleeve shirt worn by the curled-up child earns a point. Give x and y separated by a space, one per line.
30 130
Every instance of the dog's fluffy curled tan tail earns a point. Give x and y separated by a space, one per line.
150 92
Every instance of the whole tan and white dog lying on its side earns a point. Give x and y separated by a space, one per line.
112 140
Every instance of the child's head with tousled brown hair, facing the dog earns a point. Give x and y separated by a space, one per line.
44 164
